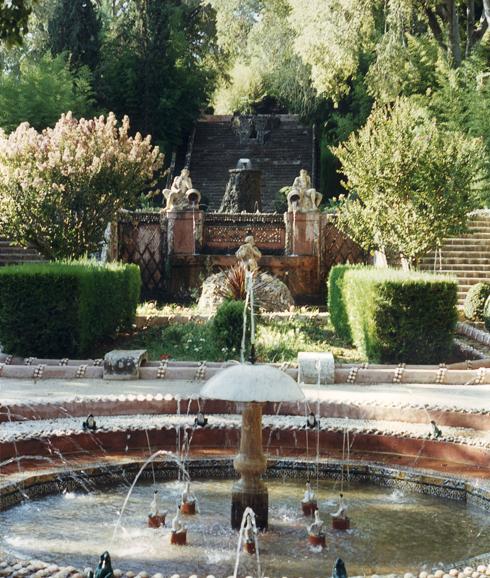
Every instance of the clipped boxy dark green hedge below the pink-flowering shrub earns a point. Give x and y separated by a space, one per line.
63 309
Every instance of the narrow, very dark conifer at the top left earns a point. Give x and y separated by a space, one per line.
75 29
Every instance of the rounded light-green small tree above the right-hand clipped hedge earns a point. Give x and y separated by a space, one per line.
411 181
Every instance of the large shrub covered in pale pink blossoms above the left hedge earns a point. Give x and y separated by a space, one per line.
59 188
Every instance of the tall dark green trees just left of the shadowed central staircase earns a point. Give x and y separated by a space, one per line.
159 66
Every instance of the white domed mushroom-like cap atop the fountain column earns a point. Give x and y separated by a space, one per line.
252 383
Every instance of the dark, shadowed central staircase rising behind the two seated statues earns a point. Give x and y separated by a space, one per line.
286 148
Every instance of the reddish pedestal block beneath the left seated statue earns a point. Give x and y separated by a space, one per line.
184 232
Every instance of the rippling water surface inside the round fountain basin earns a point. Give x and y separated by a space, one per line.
391 531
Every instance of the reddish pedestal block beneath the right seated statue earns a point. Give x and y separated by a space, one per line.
303 233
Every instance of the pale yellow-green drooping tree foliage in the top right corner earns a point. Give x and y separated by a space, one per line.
333 34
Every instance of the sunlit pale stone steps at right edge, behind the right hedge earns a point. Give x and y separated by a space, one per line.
466 257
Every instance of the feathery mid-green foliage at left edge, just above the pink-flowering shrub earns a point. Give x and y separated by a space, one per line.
41 91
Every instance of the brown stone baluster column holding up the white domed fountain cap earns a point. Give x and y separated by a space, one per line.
250 491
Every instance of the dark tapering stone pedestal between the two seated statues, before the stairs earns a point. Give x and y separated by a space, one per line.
242 192
